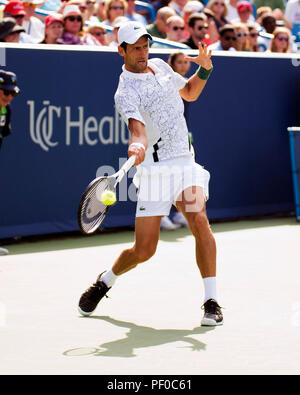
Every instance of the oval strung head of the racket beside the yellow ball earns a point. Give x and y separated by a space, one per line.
92 211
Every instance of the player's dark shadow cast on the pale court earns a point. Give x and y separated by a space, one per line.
140 337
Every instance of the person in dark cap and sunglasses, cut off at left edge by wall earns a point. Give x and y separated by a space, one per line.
8 90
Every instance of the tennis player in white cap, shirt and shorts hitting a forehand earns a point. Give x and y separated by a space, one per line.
149 98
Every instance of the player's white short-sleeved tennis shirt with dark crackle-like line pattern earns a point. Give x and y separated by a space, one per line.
154 100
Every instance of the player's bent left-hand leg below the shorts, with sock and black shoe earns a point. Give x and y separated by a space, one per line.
146 238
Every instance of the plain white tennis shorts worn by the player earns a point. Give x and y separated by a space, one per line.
160 184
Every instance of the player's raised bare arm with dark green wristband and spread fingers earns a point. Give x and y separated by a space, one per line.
196 82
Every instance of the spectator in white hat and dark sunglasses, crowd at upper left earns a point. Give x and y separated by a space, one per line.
73 26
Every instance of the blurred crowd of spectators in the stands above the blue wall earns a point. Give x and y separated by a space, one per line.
224 25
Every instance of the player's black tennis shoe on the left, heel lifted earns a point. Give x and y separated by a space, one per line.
92 296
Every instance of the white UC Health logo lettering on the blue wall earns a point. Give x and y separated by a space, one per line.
50 126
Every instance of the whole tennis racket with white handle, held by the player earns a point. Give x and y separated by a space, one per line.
92 211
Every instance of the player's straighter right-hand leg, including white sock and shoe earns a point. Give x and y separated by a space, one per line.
192 204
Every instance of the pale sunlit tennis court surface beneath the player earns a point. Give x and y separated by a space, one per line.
150 322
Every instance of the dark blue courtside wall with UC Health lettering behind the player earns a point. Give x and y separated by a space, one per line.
65 129
